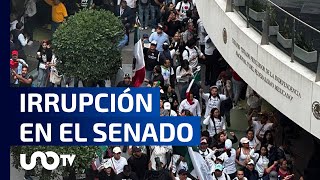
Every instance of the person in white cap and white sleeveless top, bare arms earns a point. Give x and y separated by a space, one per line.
243 152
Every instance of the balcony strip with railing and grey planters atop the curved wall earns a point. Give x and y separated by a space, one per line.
292 35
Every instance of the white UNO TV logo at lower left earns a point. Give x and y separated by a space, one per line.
43 157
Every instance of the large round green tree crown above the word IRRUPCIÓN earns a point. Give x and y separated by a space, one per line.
86 45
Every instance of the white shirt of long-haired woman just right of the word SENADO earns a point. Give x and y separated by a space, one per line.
218 127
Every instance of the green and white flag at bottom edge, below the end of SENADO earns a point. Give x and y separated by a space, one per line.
197 166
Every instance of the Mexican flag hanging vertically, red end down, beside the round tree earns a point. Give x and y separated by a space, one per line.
139 70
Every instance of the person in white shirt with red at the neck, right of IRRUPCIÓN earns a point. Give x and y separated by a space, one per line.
191 104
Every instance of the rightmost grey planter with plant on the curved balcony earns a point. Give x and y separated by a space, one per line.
304 50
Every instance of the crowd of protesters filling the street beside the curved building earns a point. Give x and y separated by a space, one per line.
174 52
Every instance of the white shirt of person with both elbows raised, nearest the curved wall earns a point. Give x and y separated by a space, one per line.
212 102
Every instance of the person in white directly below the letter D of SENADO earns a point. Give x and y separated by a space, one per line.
161 153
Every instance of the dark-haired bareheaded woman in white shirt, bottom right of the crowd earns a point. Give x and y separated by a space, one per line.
262 162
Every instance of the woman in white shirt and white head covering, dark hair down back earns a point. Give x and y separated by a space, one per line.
229 159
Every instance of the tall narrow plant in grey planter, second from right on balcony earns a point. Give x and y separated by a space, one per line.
284 36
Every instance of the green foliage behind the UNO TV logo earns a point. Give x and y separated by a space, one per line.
84 156
